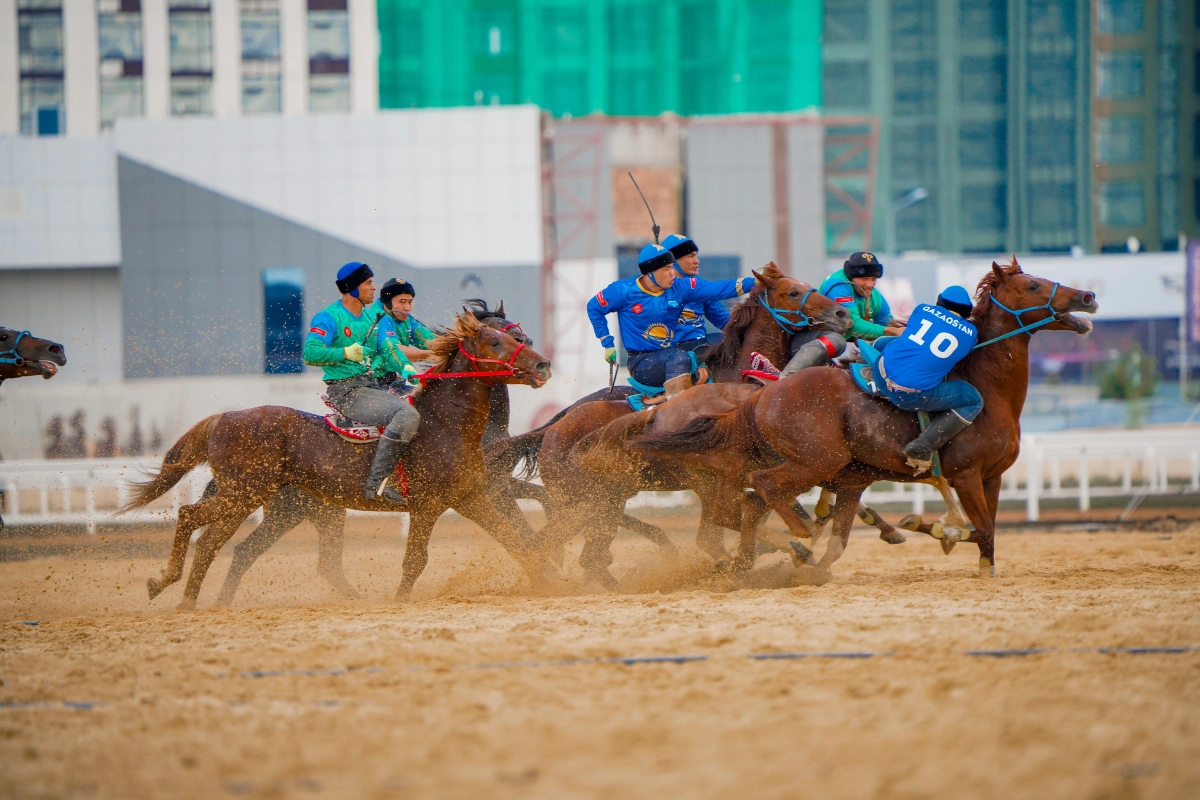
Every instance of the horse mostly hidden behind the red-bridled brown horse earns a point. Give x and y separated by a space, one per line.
291 507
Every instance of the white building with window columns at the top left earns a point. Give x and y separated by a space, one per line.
76 67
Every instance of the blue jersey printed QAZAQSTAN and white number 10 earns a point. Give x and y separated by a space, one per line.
934 341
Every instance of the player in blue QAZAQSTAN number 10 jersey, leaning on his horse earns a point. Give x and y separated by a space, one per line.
916 363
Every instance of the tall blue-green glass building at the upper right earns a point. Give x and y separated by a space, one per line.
1033 125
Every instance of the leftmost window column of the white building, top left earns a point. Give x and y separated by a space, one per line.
40 62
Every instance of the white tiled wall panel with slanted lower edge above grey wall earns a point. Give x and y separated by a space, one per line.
434 188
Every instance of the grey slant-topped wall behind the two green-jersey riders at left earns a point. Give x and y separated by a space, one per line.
191 278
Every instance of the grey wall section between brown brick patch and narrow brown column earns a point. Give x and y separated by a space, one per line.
730 191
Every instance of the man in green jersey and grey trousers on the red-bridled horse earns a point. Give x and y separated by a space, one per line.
337 344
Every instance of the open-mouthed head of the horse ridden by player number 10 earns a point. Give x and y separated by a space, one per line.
1031 303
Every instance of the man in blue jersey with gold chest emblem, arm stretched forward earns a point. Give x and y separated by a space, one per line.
647 310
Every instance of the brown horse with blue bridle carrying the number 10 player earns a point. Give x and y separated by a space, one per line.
817 429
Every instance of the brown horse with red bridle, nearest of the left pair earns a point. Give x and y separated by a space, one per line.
255 453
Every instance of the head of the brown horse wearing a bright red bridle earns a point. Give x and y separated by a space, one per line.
484 350
